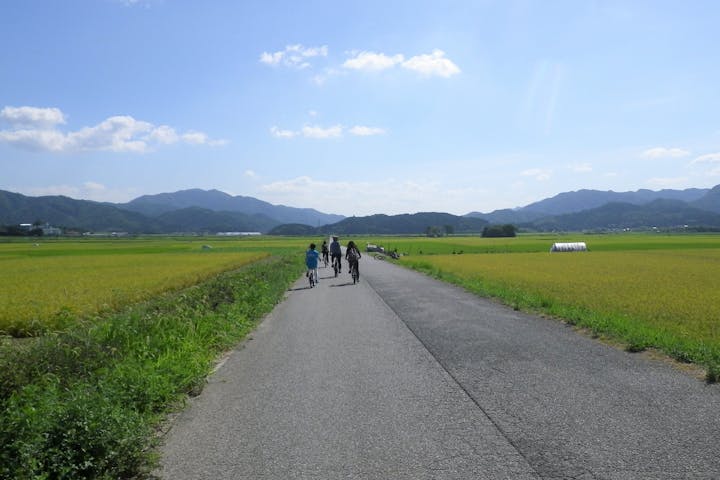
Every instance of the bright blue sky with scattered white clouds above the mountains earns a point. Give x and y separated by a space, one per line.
359 107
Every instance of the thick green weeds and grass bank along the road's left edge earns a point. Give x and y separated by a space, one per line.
86 402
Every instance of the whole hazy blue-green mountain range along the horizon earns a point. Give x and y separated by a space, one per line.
212 211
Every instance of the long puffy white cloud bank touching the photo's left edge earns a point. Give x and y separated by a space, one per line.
37 129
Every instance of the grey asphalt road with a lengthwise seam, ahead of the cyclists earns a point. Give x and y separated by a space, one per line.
403 377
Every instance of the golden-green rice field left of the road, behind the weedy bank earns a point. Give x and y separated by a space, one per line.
44 285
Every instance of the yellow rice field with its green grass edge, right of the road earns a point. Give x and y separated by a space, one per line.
664 299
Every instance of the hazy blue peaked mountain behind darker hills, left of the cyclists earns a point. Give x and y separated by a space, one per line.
215 200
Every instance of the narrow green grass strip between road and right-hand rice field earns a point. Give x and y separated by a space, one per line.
636 335
